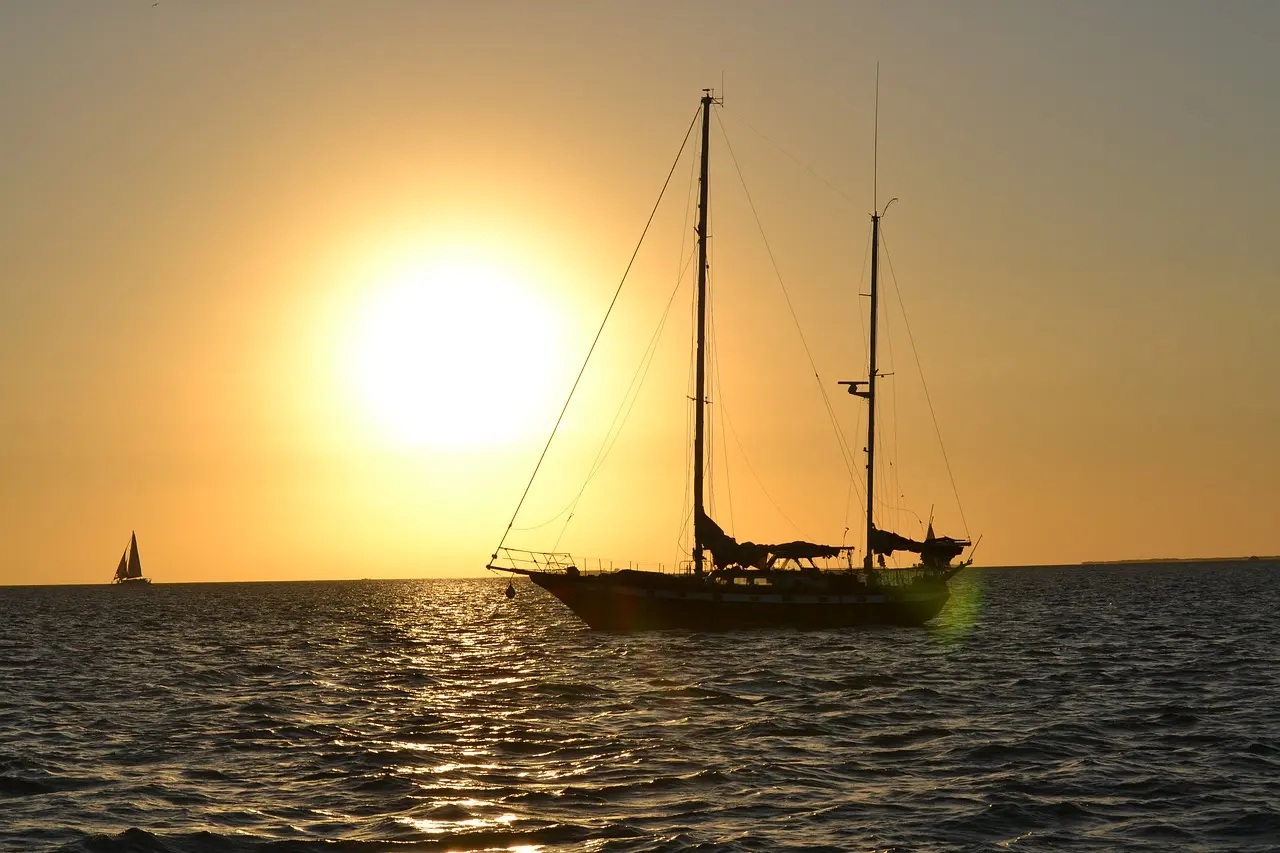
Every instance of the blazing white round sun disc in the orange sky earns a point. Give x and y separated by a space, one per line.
456 352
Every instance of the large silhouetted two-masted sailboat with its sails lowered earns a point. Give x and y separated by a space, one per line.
729 585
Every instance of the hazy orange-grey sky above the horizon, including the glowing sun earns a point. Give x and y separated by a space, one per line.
295 289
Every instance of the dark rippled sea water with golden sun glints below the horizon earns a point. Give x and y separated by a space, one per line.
1069 709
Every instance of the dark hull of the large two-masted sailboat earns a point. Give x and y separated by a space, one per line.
606 604
